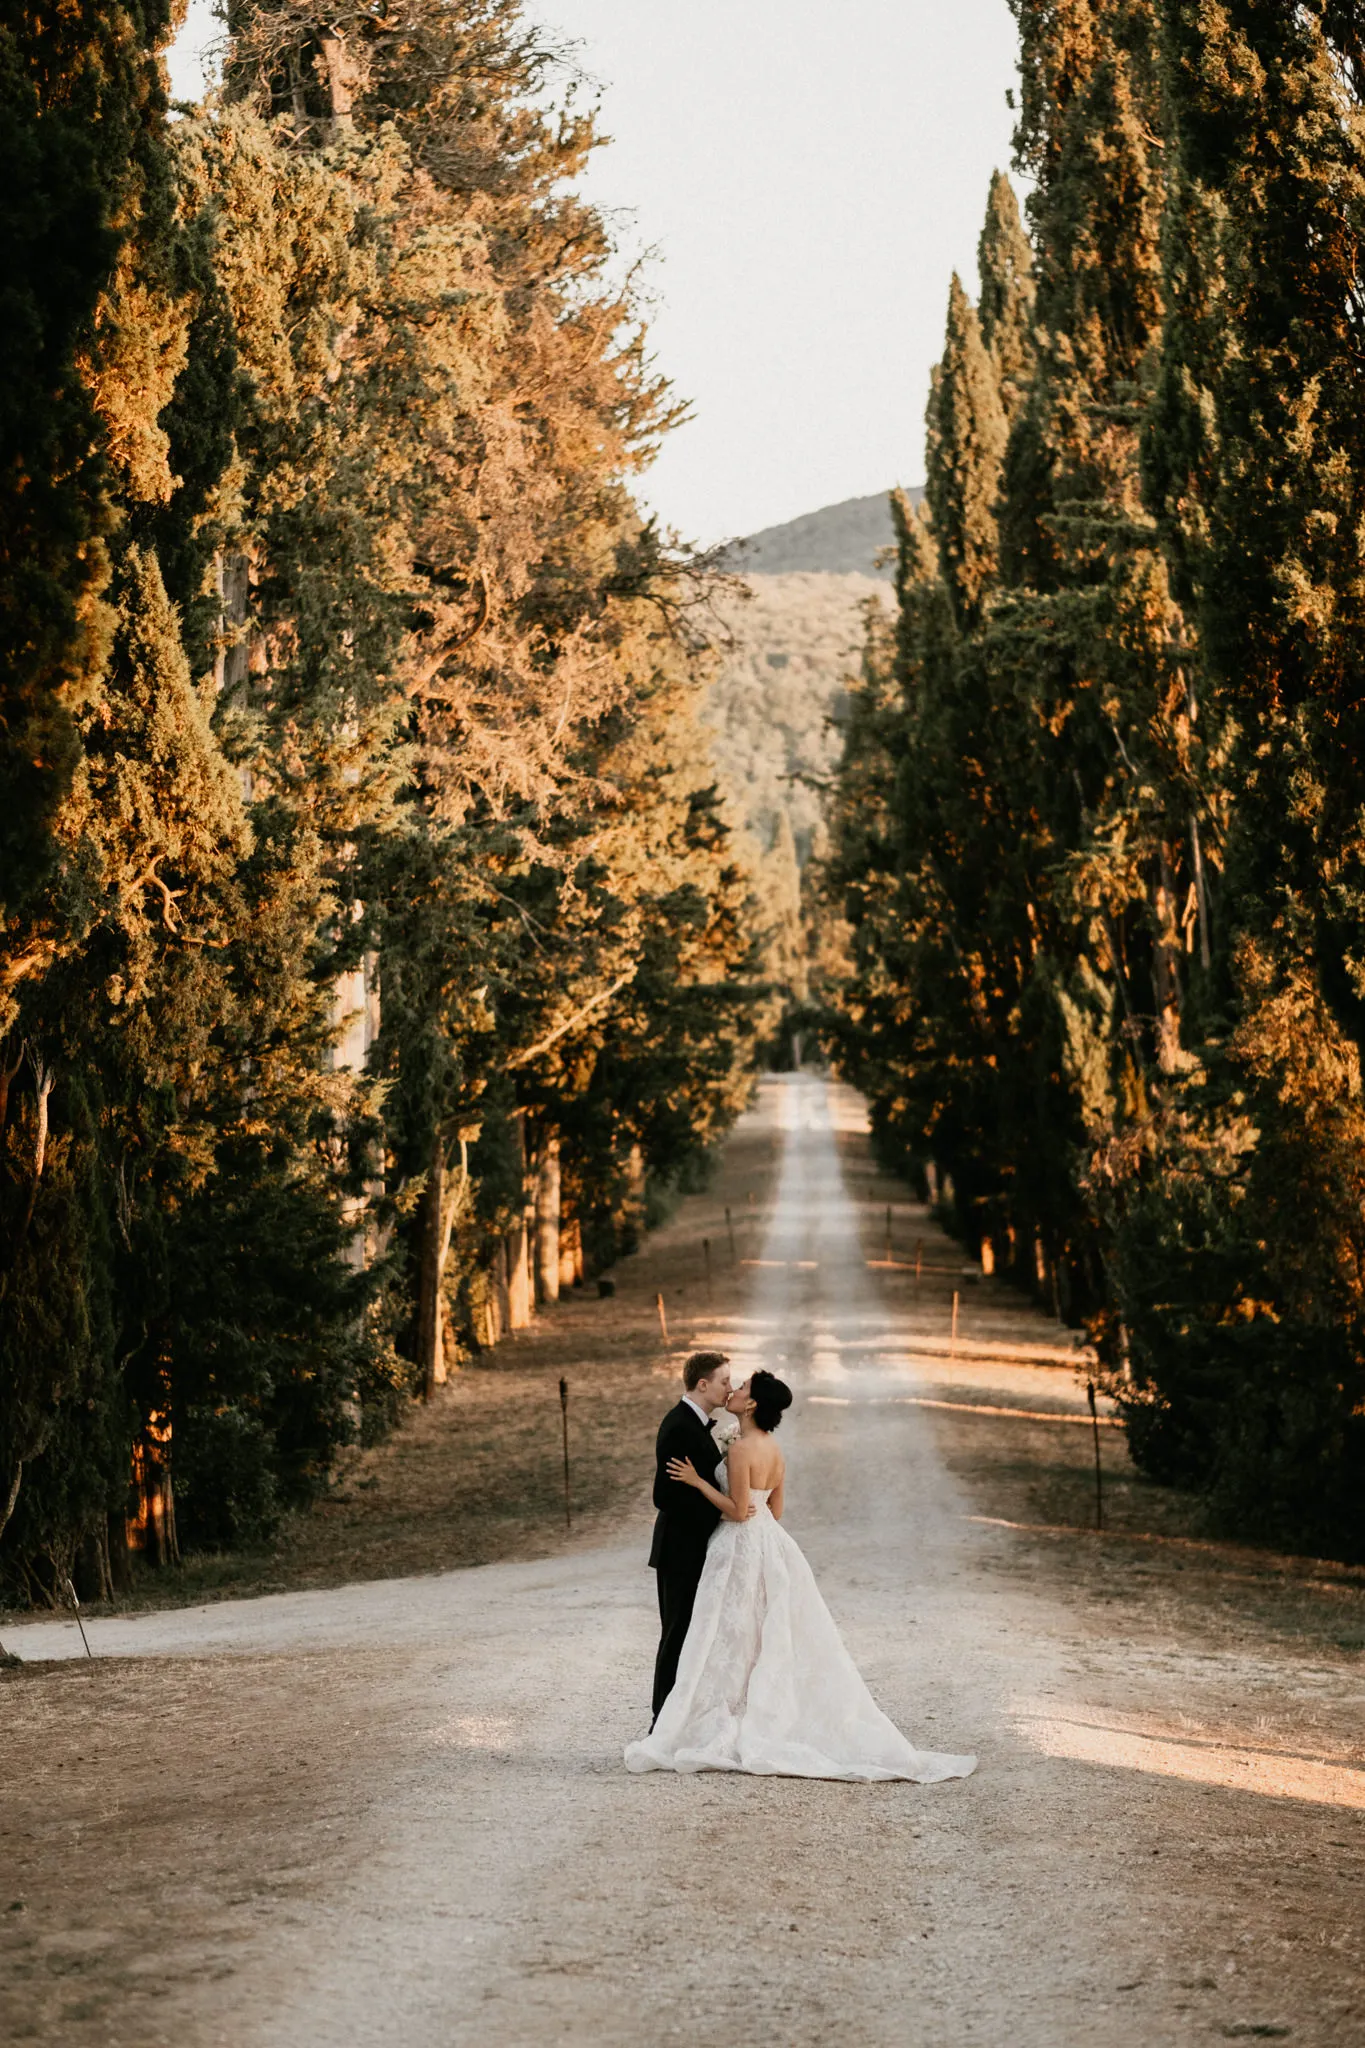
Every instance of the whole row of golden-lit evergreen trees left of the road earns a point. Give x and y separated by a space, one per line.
369 908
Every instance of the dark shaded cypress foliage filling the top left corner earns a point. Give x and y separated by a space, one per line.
81 103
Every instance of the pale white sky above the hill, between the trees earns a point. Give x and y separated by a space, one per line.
807 177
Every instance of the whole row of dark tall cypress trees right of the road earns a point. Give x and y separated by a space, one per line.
1098 826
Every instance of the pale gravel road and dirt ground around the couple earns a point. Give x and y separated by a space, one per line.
396 1811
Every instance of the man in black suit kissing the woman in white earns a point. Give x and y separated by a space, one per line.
687 1519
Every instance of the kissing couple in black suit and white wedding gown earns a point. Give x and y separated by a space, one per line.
752 1672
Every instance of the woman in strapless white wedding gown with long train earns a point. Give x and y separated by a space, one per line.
764 1682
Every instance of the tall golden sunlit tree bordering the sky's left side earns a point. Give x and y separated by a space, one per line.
492 419
